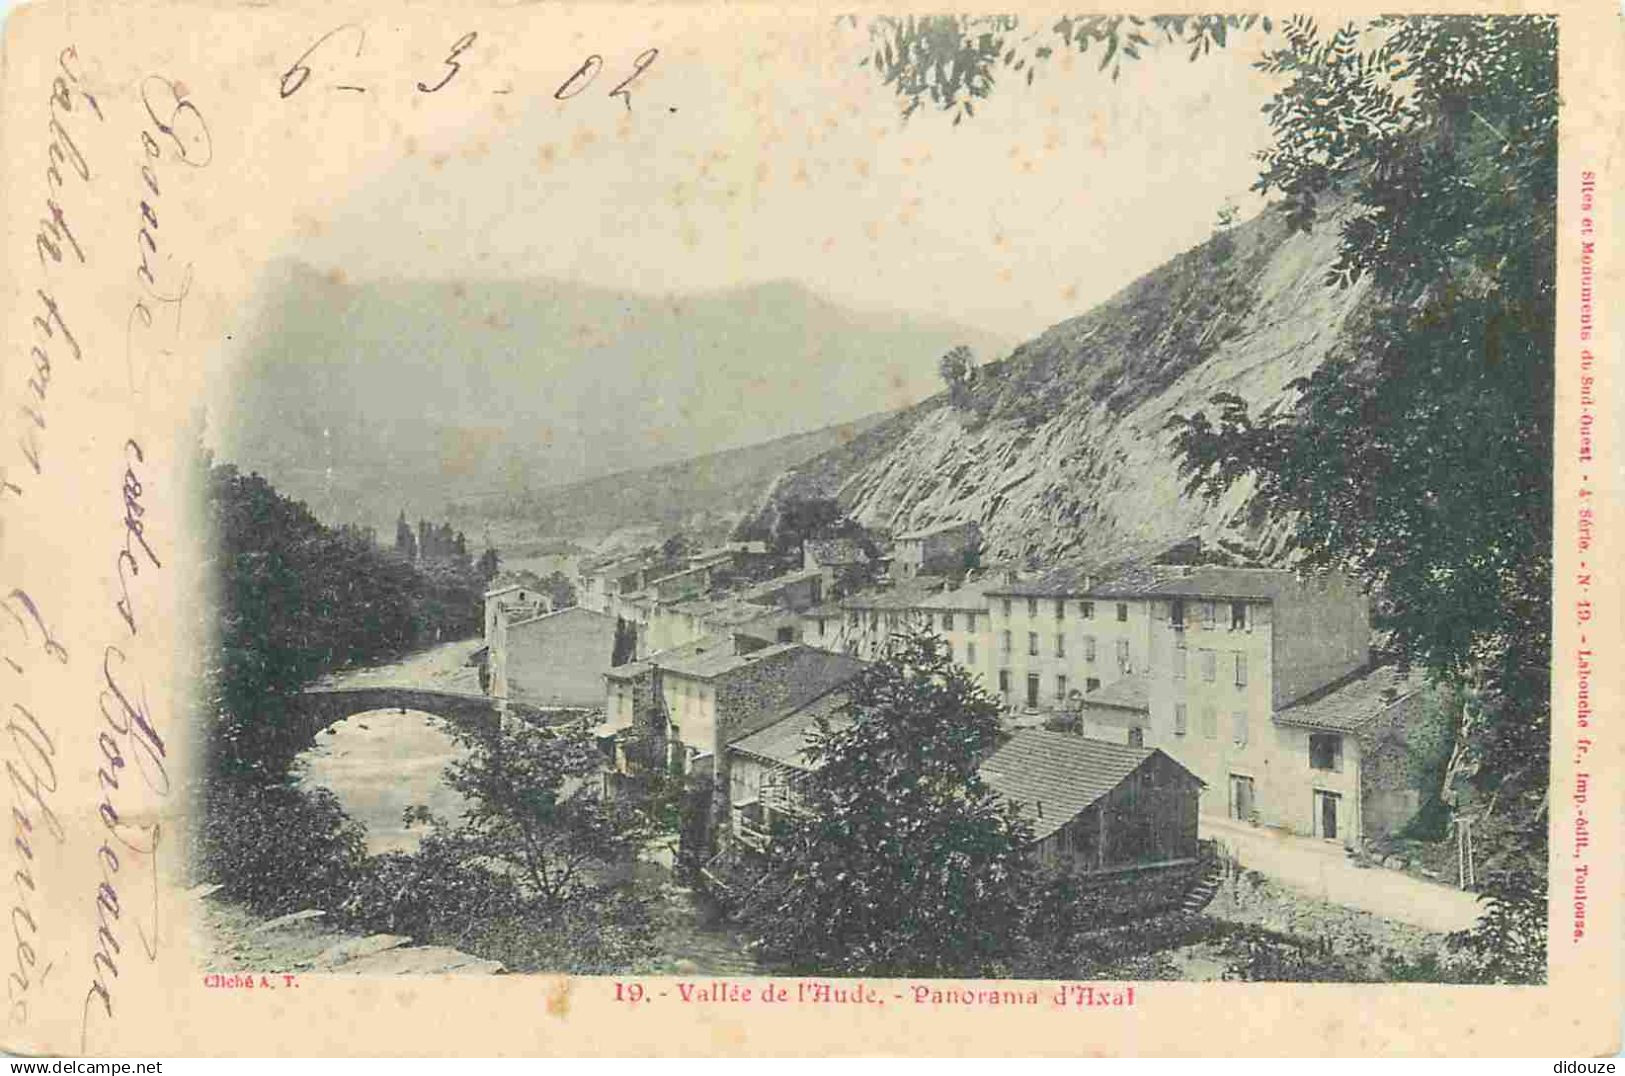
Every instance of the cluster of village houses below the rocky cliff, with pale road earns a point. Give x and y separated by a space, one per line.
1148 706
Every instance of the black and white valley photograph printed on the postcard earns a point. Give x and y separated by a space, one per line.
807 555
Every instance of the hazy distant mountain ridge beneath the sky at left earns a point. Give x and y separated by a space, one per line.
368 397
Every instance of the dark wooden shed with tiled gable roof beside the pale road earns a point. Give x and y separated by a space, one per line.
1098 805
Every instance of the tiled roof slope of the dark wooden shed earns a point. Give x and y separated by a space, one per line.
1057 776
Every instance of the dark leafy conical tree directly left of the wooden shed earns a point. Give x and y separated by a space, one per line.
903 864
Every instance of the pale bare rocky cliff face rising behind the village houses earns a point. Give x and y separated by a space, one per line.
1062 451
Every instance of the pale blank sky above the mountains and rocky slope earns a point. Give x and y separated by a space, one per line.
787 160
